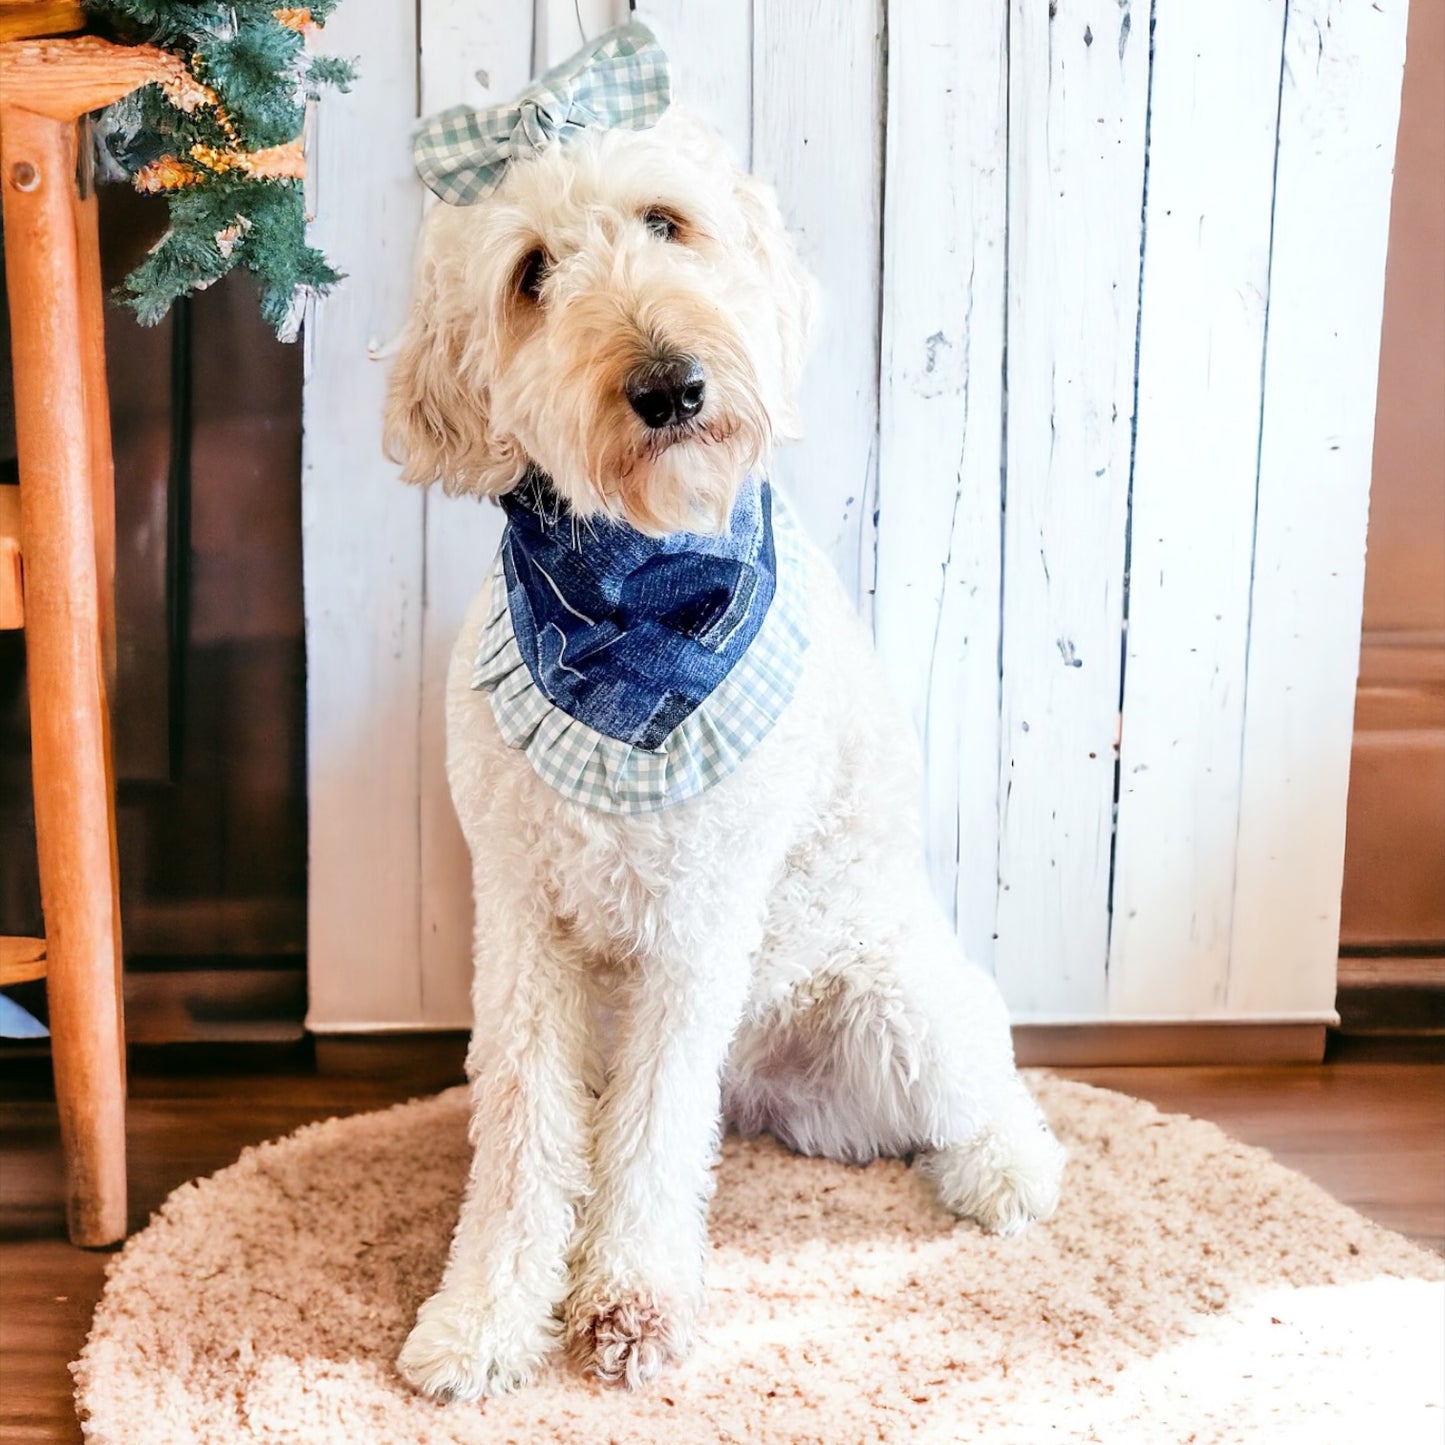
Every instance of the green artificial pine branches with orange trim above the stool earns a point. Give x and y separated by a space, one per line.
223 147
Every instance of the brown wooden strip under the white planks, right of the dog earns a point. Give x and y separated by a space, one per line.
1079 1045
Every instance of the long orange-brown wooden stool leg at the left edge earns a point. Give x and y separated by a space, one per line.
74 807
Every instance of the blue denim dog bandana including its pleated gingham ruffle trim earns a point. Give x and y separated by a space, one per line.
638 671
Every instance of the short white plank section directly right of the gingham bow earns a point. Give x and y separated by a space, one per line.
710 46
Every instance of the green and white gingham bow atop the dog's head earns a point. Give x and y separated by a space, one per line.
618 82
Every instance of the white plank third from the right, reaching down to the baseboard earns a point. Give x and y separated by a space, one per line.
1077 103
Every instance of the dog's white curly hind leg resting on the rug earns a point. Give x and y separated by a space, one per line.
901 1047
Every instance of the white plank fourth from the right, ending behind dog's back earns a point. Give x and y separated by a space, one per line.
941 427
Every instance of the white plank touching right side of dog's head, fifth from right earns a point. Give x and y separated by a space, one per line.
817 137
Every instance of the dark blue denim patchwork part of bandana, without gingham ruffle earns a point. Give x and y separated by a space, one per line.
629 634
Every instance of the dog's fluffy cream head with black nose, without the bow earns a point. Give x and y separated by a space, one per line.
625 313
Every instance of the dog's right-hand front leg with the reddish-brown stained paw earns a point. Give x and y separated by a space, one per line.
638 1265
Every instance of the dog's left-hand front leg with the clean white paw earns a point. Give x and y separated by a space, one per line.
492 1323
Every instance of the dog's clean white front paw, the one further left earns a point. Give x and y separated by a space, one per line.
462 1350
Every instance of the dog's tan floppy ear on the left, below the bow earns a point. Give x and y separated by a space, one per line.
437 423
